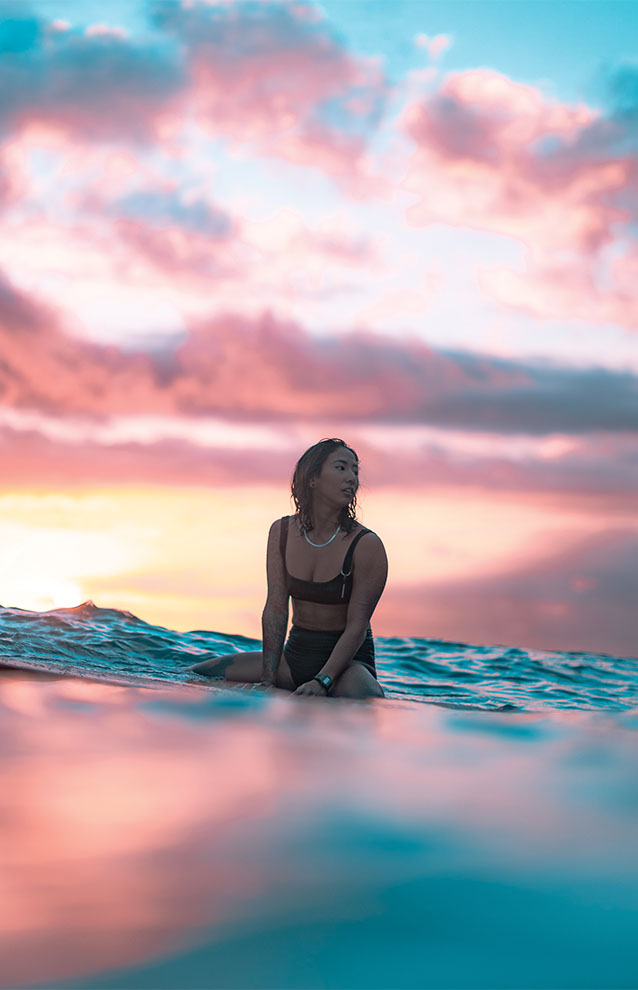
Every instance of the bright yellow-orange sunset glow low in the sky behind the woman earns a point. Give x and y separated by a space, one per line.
195 559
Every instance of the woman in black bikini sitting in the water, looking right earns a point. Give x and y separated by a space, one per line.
330 650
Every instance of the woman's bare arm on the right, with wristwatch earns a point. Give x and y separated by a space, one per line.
368 582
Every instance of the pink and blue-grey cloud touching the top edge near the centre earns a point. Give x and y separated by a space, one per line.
272 74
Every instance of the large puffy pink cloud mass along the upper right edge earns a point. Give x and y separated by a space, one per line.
497 155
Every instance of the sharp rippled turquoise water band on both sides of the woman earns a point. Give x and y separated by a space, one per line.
106 643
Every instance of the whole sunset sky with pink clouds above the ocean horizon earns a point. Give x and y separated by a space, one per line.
228 230
